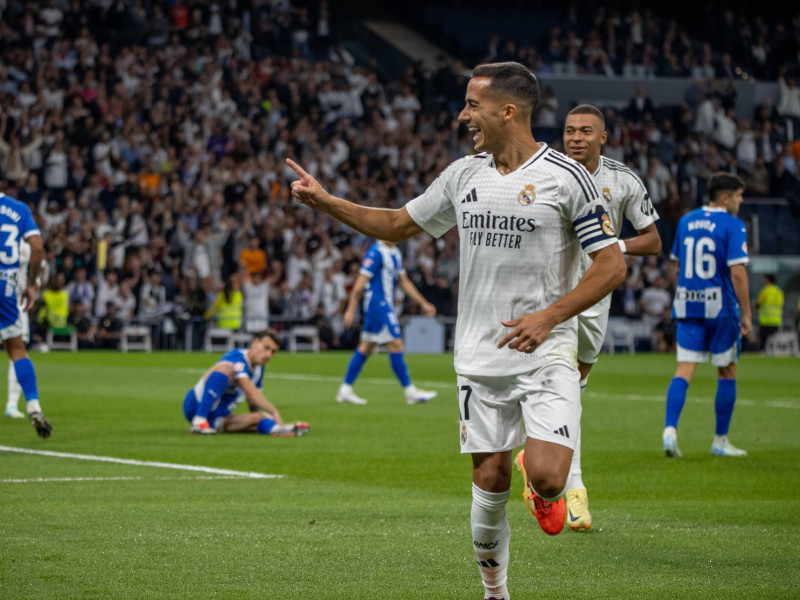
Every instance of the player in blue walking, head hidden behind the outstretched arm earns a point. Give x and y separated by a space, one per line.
381 271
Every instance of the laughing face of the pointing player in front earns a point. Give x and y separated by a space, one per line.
483 114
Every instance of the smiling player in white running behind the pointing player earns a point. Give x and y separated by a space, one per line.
624 195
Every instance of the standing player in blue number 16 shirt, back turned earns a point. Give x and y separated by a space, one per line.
712 306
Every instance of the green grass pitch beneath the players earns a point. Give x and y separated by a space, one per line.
374 502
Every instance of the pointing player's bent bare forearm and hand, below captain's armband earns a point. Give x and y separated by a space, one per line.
606 272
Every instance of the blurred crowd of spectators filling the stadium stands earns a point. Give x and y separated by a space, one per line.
148 139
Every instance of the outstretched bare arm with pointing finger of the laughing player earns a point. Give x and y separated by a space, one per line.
380 223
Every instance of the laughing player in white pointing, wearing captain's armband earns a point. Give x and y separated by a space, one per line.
524 214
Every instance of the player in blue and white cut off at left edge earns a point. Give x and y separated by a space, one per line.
16 224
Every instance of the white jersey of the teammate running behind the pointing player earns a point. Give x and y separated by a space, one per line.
624 194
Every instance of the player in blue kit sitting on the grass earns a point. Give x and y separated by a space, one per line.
238 376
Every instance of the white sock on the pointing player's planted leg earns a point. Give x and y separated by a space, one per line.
490 539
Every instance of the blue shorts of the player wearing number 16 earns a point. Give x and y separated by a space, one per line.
719 338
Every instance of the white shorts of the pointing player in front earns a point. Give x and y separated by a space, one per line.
491 409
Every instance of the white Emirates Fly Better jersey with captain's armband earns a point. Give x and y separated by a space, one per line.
521 237
